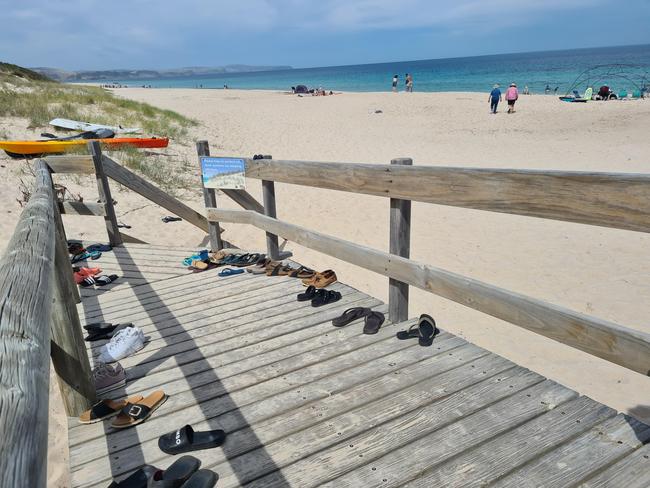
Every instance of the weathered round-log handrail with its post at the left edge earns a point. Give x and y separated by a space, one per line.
38 320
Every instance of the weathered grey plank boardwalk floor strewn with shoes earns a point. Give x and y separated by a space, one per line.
306 404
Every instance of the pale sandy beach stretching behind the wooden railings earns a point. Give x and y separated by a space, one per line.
597 271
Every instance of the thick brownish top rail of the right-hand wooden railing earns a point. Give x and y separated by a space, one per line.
619 200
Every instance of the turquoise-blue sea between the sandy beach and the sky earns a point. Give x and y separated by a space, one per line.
536 70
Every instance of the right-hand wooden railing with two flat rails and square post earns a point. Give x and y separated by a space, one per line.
618 200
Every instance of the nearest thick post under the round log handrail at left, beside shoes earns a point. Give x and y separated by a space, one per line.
68 350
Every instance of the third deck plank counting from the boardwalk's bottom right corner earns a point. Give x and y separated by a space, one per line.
495 458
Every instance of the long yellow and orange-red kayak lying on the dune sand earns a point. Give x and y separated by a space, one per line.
34 148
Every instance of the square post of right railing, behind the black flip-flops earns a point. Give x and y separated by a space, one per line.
400 245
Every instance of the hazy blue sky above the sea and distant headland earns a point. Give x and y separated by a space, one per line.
92 34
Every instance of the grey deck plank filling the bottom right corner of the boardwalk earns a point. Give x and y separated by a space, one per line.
633 471
